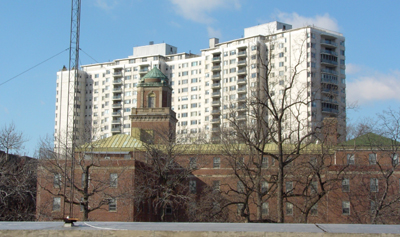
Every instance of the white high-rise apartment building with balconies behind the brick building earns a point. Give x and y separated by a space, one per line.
207 86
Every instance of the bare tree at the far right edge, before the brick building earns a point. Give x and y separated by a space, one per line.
376 198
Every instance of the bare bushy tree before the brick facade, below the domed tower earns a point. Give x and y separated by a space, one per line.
164 175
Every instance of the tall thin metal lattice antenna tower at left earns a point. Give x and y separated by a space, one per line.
73 103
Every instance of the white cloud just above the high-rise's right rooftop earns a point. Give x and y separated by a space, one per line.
296 20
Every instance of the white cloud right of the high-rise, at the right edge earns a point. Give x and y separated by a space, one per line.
373 86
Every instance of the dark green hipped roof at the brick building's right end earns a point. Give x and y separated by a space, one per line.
371 139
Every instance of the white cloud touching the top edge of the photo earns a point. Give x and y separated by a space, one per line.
199 11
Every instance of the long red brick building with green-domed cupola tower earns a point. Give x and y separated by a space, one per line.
146 176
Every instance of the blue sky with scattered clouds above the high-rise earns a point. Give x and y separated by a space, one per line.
33 31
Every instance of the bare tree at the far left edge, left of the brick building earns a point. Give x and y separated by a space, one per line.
17 178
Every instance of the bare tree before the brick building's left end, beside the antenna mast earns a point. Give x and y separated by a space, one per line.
93 181
